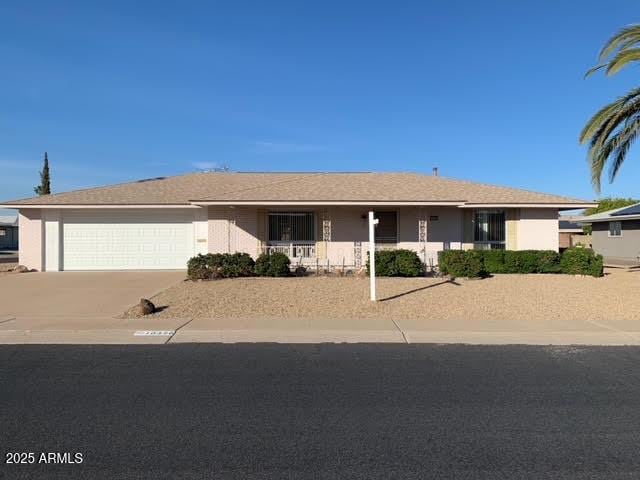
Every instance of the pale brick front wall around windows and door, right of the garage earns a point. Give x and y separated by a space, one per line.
345 241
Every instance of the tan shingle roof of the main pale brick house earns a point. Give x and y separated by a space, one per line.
295 187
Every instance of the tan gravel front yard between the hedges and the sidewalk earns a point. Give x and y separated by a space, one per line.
527 297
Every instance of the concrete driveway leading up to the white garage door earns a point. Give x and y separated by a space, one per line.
85 295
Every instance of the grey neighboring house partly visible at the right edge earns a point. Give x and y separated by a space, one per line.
616 234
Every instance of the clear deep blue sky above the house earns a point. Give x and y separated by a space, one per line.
490 91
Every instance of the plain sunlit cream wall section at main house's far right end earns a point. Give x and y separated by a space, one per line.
538 229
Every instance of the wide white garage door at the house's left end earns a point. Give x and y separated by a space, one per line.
126 240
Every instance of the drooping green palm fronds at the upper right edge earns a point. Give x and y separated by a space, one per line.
613 129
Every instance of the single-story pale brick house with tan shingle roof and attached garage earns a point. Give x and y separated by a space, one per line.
315 218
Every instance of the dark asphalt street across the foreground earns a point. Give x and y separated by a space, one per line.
321 411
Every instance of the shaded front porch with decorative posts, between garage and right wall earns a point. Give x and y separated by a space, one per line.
337 236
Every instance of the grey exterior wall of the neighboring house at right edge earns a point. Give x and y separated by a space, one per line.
626 247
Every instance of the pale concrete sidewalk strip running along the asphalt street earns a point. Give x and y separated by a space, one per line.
107 330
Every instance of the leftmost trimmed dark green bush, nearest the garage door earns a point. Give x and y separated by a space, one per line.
220 265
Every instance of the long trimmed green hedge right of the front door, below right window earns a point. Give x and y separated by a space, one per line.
479 263
